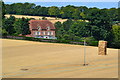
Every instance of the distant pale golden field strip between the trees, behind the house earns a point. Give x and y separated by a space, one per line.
51 19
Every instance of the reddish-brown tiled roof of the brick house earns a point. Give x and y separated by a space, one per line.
34 24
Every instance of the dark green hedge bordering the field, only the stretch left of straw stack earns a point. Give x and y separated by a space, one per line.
90 43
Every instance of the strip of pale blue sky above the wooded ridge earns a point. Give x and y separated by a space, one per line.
89 3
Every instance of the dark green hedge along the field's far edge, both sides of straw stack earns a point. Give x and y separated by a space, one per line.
81 42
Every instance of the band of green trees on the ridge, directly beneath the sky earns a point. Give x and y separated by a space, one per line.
69 12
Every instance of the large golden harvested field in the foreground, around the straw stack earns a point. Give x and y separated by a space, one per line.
28 59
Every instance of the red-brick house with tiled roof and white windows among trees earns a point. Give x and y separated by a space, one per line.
42 29
